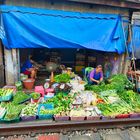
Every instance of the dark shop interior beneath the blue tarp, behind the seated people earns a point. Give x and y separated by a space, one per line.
77 59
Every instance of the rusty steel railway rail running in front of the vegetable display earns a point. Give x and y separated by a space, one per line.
43 126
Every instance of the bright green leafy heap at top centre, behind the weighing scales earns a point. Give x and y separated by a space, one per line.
62 78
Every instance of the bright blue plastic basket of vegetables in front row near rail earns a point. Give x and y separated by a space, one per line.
46 106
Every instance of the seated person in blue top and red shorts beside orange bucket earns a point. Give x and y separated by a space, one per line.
30 67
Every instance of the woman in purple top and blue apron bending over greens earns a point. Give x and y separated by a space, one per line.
96 75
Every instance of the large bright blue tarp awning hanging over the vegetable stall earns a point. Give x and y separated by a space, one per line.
23 27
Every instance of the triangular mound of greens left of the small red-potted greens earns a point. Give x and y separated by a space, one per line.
20 97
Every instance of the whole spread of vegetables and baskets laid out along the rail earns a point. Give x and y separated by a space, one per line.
69 98
